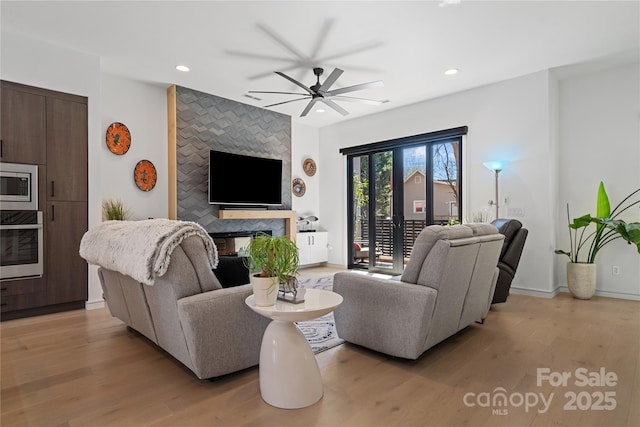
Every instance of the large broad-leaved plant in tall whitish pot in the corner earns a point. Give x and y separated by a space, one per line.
581 272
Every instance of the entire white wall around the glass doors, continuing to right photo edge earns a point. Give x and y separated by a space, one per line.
537 124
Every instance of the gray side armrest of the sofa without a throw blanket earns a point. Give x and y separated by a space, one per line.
385 315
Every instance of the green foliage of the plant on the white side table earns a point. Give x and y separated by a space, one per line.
272 256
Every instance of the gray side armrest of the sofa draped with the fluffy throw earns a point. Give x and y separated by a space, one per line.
222 333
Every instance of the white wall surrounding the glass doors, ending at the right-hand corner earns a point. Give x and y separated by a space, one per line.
507 121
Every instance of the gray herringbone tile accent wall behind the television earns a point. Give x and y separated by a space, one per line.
207 122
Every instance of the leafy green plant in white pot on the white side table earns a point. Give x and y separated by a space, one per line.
271 260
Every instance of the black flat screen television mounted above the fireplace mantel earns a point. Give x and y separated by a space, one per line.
239 180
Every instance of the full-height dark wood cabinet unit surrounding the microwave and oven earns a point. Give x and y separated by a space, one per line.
56 126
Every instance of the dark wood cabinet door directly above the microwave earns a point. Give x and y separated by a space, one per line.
22 125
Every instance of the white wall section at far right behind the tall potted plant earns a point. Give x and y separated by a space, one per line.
599 130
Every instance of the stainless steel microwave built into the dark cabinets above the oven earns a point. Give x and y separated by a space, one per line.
18 187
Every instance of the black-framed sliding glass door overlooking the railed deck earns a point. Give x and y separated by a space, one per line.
393 194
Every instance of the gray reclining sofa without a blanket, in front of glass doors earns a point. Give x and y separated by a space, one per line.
447 284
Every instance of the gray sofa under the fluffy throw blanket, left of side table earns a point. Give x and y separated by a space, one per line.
186 311
